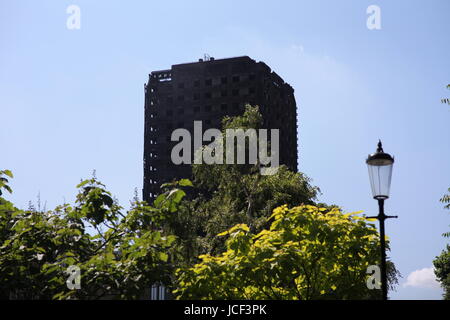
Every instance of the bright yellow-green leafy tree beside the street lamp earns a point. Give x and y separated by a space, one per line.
307 253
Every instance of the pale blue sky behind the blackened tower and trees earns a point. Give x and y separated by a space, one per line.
73 100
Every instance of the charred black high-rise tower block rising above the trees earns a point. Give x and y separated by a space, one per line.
206 91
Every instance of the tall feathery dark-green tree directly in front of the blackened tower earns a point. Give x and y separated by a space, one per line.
229 194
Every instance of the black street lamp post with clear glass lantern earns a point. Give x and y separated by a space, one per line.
380 172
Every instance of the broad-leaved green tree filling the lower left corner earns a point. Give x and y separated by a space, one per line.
122 258
